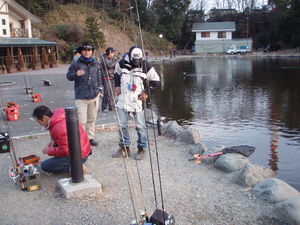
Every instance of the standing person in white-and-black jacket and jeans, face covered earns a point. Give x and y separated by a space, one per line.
135 79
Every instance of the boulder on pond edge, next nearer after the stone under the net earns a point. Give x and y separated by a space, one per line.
253 174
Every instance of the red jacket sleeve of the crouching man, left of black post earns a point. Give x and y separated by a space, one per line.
60 146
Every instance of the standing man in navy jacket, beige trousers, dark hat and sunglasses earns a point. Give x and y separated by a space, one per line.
86 74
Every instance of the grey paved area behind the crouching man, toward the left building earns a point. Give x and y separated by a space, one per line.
59 94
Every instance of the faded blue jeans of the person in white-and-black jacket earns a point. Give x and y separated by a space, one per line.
140 127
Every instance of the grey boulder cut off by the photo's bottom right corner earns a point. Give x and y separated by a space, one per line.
289 210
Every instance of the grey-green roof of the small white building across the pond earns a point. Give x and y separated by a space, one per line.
213 26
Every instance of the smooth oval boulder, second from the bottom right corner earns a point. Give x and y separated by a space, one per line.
274 190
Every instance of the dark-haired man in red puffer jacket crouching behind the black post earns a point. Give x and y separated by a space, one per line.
55 122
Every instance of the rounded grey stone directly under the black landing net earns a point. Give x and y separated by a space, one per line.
231 162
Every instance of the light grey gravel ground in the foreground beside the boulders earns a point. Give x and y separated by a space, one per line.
194 194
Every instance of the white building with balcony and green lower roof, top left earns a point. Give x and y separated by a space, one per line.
16 34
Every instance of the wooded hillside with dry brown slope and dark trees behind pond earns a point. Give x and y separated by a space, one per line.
116 22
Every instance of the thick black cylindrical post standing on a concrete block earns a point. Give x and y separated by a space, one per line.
74 144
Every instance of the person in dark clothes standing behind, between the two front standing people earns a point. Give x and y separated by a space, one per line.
108 62
